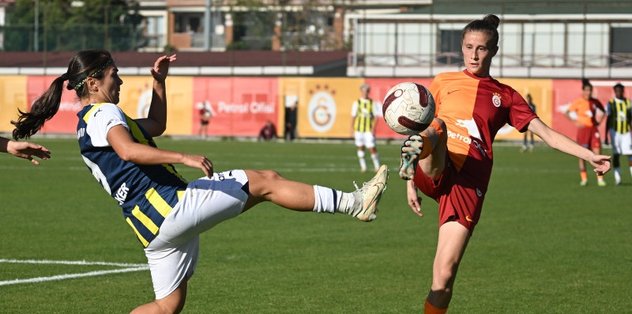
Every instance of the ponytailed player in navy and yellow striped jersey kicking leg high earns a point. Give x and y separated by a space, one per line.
167 214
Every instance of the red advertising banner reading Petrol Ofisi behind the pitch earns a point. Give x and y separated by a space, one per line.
239 106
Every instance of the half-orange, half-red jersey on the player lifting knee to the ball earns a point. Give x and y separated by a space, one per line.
474 109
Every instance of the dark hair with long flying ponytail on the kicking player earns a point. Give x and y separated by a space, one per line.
85 64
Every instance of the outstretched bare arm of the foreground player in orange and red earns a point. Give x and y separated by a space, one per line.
556 140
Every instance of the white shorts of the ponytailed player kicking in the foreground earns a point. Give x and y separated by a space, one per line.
172 255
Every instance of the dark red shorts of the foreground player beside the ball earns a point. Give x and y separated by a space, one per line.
460 196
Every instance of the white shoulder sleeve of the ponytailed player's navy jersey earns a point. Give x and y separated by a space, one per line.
101 121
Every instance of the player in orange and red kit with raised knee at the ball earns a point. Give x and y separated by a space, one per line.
455 155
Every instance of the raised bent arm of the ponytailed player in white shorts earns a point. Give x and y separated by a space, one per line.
156 122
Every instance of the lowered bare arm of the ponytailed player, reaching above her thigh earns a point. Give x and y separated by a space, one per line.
125 147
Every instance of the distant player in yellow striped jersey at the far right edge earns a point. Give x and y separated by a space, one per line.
619 129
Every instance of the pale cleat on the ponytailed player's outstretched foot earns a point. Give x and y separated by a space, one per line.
368 196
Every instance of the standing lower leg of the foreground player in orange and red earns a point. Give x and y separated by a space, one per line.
451 244
